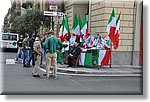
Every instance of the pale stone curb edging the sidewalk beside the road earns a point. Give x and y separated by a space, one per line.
72 72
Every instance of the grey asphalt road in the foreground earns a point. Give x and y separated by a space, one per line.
18 80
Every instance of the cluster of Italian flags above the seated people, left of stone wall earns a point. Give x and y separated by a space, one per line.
79 28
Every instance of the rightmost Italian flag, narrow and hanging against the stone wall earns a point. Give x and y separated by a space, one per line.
116 41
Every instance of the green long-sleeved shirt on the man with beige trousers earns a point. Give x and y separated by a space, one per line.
52 43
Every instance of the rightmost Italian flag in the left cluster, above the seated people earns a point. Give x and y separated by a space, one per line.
84 27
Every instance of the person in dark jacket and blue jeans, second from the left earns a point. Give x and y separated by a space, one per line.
26 50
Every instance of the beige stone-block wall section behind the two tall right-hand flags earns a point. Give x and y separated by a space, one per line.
100 13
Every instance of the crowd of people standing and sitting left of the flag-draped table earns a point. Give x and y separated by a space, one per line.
44 51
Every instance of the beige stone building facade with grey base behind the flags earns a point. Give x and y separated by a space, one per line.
99 11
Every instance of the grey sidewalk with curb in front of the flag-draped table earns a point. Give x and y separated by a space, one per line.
116 70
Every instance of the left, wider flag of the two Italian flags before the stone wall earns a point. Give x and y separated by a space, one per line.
111 26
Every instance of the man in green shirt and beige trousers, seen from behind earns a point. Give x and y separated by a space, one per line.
51 45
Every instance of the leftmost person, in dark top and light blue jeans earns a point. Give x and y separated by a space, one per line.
19 45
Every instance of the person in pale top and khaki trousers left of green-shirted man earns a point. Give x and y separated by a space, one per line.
37 57
